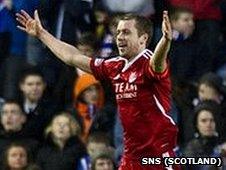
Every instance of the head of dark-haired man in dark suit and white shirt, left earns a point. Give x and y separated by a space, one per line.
33 88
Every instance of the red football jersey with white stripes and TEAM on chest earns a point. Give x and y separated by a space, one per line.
143 99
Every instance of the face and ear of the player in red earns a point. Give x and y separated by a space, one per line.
128 42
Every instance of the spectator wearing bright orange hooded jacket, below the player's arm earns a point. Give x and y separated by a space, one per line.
88 100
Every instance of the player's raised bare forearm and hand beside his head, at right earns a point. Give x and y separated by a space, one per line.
158 61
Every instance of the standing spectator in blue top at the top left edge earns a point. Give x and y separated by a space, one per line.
17 51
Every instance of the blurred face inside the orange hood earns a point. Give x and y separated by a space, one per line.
91 94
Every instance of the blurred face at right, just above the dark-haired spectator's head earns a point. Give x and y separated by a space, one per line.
208 93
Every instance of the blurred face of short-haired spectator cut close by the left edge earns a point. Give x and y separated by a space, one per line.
12 118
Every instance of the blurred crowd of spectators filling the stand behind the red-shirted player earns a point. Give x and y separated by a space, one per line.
57 117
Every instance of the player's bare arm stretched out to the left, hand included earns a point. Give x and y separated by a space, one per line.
67 53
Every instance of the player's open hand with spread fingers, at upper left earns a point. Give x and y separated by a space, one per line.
28 24
